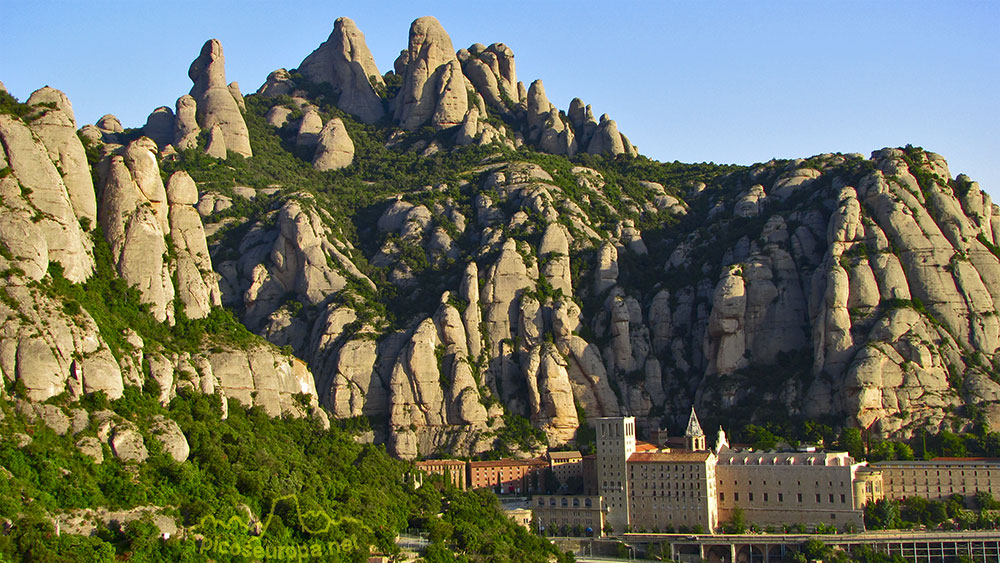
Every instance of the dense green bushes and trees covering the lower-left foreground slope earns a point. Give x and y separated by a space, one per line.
248 464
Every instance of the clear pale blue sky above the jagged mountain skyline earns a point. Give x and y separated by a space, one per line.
738 82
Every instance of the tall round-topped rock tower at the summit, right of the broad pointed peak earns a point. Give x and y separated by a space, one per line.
434 88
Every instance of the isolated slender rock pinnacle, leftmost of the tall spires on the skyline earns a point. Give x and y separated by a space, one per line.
215 102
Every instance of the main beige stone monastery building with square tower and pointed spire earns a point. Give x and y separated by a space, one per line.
655 489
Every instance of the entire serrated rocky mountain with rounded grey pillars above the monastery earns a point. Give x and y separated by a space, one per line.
443 251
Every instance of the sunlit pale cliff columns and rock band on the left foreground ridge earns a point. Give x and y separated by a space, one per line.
156 244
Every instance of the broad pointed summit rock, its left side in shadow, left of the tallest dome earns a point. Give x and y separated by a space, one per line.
344 62
